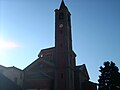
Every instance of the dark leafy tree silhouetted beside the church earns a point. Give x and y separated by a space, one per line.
109 78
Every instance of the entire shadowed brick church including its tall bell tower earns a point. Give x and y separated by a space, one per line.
55 68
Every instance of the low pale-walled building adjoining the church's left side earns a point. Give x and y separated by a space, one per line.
12 74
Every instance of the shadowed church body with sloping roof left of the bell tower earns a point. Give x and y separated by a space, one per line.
40 73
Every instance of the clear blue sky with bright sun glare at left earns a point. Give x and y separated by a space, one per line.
27 26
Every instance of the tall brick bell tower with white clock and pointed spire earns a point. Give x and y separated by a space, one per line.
64 58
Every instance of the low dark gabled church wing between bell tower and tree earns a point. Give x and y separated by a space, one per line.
82 79
